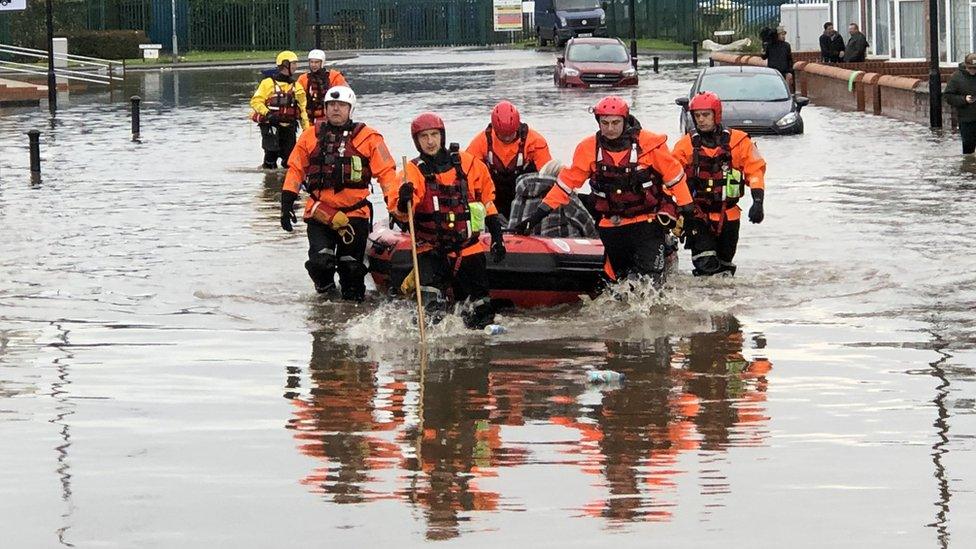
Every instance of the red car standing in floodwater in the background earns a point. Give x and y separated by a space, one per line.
595 62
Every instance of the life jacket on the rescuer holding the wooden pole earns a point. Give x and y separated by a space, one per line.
443 217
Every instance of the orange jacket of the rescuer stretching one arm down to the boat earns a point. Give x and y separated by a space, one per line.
654 154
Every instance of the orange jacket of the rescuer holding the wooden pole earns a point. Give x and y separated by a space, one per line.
480 189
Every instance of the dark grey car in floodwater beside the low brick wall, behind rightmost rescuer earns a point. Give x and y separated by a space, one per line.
756 100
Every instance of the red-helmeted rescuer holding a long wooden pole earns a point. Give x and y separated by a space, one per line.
450 190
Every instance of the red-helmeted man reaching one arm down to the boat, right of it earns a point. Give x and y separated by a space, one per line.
635 183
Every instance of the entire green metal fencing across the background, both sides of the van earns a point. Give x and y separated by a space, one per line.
359 24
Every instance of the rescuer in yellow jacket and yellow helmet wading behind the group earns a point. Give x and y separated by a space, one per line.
278 105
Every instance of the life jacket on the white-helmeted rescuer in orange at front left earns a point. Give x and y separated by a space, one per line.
335 163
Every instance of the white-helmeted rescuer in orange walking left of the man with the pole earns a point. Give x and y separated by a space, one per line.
336 159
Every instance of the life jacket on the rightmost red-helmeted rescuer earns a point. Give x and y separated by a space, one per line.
708 174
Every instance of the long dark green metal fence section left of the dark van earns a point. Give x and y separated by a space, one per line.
277 24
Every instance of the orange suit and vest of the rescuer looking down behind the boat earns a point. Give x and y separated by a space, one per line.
507 161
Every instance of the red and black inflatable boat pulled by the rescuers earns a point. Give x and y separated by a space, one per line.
536 272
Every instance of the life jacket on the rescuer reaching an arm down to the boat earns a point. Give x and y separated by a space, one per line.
625 189
